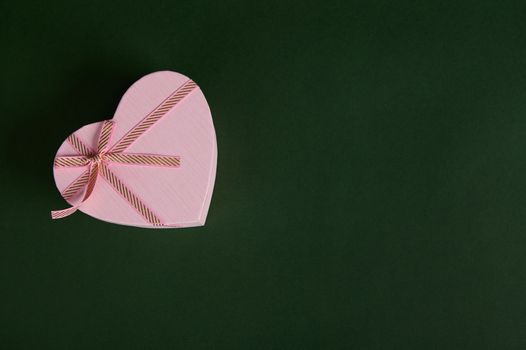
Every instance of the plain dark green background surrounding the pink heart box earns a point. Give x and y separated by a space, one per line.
371 180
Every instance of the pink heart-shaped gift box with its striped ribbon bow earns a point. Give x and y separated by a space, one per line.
152 165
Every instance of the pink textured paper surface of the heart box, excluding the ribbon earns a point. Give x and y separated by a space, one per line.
179 196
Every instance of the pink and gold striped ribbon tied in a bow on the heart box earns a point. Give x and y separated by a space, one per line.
97 162
